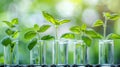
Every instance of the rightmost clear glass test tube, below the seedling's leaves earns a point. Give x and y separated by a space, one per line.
106 52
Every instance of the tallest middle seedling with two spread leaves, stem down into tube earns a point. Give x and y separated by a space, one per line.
57 23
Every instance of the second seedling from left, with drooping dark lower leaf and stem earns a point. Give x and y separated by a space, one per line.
35 35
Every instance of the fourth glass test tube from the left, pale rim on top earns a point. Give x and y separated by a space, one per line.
80 52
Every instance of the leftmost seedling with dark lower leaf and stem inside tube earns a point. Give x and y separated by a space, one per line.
12 35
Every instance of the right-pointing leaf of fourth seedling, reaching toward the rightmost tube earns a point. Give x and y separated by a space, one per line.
93 33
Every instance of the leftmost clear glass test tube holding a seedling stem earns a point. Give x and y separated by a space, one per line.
11 56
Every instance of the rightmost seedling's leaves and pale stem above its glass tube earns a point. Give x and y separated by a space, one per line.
107 17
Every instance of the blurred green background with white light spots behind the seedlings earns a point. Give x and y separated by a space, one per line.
78 11
